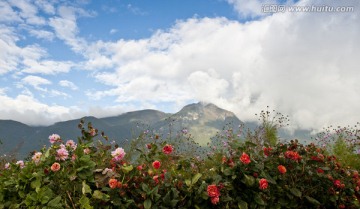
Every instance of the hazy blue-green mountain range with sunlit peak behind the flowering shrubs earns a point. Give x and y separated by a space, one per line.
201 120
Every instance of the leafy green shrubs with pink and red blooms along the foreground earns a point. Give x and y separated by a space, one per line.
156 173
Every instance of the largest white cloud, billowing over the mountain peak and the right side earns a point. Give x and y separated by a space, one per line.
284 61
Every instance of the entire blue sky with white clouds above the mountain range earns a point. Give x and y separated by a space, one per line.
62 60
